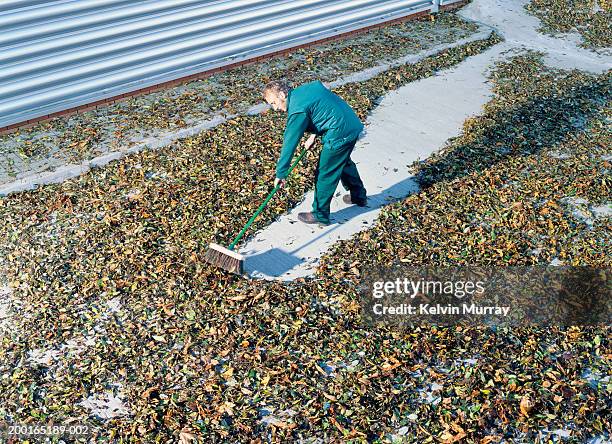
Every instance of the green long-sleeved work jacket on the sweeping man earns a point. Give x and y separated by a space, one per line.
313 108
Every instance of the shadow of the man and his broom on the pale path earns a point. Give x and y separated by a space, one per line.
276 262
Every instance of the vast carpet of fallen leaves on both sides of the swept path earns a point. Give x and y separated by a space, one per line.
115 299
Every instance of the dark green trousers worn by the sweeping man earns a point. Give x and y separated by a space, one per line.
335 165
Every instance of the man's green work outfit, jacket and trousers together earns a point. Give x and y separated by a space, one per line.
313 108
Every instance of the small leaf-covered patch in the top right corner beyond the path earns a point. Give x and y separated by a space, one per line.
590 18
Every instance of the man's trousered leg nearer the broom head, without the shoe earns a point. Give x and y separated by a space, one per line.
332 163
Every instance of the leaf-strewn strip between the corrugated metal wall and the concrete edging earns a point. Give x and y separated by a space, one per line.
118 126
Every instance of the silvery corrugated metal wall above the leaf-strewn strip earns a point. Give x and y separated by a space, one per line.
59 54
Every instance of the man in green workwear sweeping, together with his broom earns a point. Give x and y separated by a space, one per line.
313 108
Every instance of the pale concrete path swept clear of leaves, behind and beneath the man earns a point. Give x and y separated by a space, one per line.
410 123
